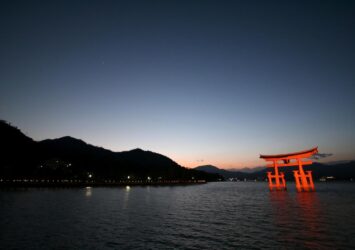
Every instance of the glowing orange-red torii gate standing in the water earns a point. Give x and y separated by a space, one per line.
303 178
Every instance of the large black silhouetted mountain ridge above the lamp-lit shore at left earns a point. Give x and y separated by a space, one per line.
68 157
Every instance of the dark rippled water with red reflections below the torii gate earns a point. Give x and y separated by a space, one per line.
210 216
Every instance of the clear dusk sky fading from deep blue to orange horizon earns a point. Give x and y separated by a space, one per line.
202 82
